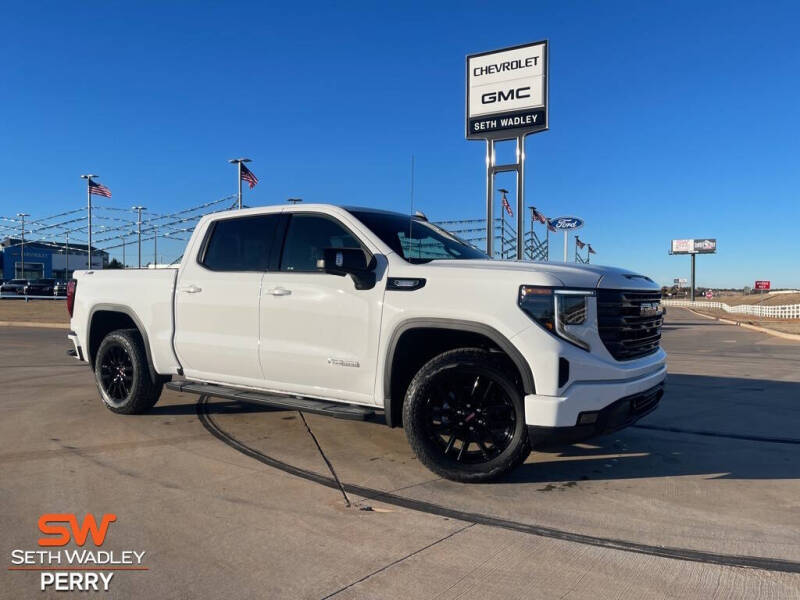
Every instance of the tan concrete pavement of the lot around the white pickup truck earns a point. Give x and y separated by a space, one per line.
712 473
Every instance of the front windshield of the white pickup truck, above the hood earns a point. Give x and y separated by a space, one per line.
416 239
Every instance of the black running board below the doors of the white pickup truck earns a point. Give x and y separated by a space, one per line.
352 412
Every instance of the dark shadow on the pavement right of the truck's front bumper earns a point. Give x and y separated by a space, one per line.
719 427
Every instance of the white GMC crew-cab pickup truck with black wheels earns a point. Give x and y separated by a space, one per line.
353 312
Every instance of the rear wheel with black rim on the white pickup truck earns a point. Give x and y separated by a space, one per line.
122 374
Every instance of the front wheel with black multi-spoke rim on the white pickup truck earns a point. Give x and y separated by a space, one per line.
464 416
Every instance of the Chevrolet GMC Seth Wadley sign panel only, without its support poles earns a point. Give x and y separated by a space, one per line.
507 92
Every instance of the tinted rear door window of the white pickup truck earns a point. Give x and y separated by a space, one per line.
241 244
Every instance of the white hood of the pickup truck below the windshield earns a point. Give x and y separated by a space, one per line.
569 274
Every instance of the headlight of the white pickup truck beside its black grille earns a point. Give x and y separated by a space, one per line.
557 309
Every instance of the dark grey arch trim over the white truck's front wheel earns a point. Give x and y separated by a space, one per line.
393 404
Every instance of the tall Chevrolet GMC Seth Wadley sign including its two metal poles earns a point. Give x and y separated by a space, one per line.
507 100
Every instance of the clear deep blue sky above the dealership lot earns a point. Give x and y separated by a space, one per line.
668 120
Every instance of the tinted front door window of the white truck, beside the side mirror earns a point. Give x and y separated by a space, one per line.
308 235
